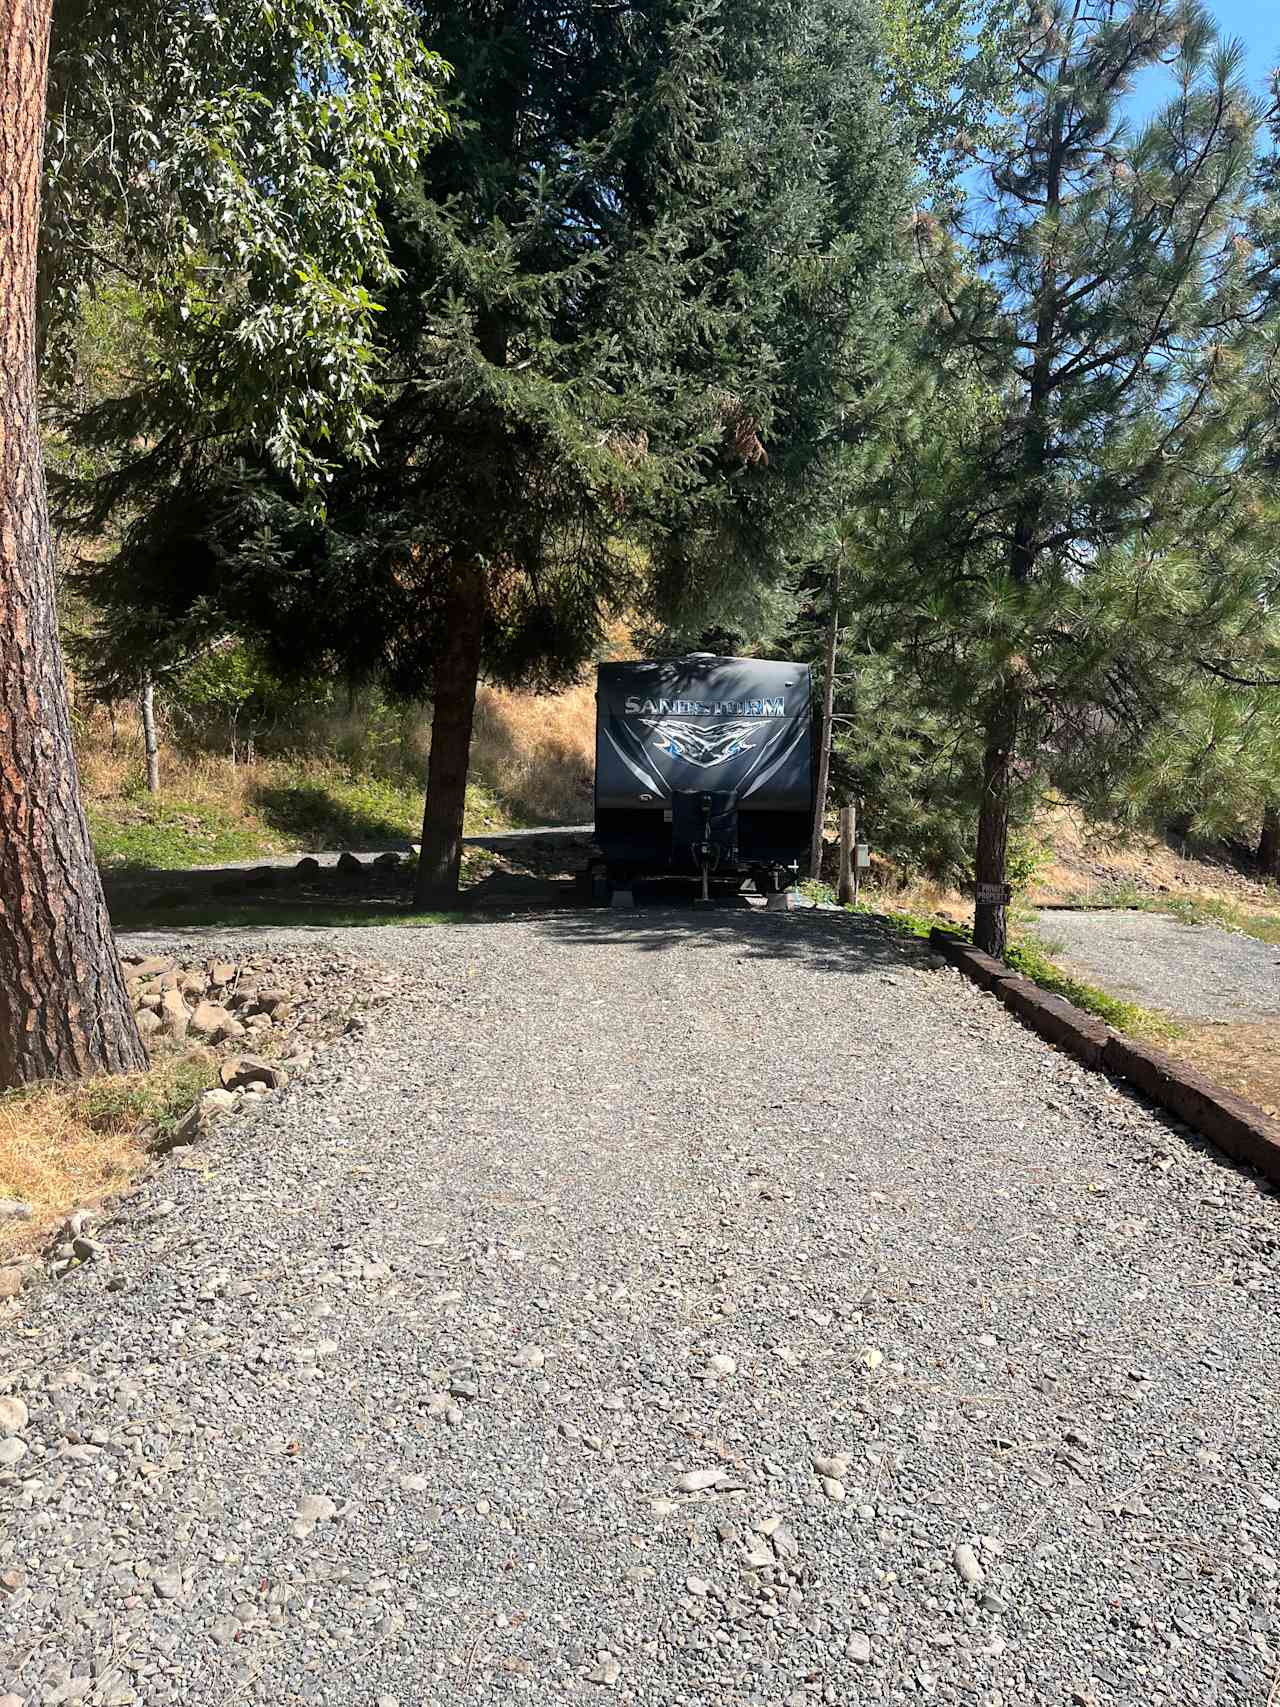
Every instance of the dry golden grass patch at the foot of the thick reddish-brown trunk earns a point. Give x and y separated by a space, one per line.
71 1145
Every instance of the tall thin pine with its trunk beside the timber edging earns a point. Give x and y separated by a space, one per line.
1100 289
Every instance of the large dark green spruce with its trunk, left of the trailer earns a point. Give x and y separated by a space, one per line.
631 312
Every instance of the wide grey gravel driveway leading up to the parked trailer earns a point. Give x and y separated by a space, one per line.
673 1310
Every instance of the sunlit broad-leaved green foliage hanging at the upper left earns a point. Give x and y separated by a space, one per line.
230 163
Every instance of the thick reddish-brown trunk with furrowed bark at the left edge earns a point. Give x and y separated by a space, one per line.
64 1011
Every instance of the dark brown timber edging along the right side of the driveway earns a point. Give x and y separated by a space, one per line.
1235 1126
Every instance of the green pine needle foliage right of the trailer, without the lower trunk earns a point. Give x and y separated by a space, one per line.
1069 533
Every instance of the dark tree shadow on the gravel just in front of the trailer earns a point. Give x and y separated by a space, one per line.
847 943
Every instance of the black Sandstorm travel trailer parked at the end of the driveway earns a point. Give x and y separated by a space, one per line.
704 771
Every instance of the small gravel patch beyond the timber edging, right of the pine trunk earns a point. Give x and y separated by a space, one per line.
1196 972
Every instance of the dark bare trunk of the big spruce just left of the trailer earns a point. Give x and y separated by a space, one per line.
455 711
